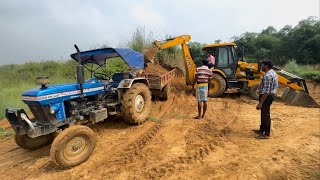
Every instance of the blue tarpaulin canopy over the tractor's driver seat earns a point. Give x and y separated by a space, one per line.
100 56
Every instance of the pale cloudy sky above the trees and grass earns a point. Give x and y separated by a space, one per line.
36 30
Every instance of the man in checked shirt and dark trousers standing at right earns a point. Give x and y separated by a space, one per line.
267 91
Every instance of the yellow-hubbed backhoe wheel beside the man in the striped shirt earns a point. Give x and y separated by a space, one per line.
217 86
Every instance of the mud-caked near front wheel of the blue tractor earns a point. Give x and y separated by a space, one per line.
73 146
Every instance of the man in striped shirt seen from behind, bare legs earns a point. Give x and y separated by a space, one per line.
203 75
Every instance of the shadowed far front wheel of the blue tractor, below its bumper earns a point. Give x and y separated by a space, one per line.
26 142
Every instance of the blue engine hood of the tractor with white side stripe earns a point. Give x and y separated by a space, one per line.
61 92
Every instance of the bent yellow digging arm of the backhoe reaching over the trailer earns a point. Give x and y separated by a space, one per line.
182 40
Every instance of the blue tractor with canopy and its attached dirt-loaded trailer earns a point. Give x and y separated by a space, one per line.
61 110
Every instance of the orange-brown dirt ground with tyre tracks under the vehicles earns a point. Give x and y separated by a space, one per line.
174 145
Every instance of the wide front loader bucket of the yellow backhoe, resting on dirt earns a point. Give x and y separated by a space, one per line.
298 98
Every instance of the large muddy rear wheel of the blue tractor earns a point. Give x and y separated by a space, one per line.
136 104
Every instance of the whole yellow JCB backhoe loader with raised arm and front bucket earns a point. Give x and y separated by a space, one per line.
231 72
